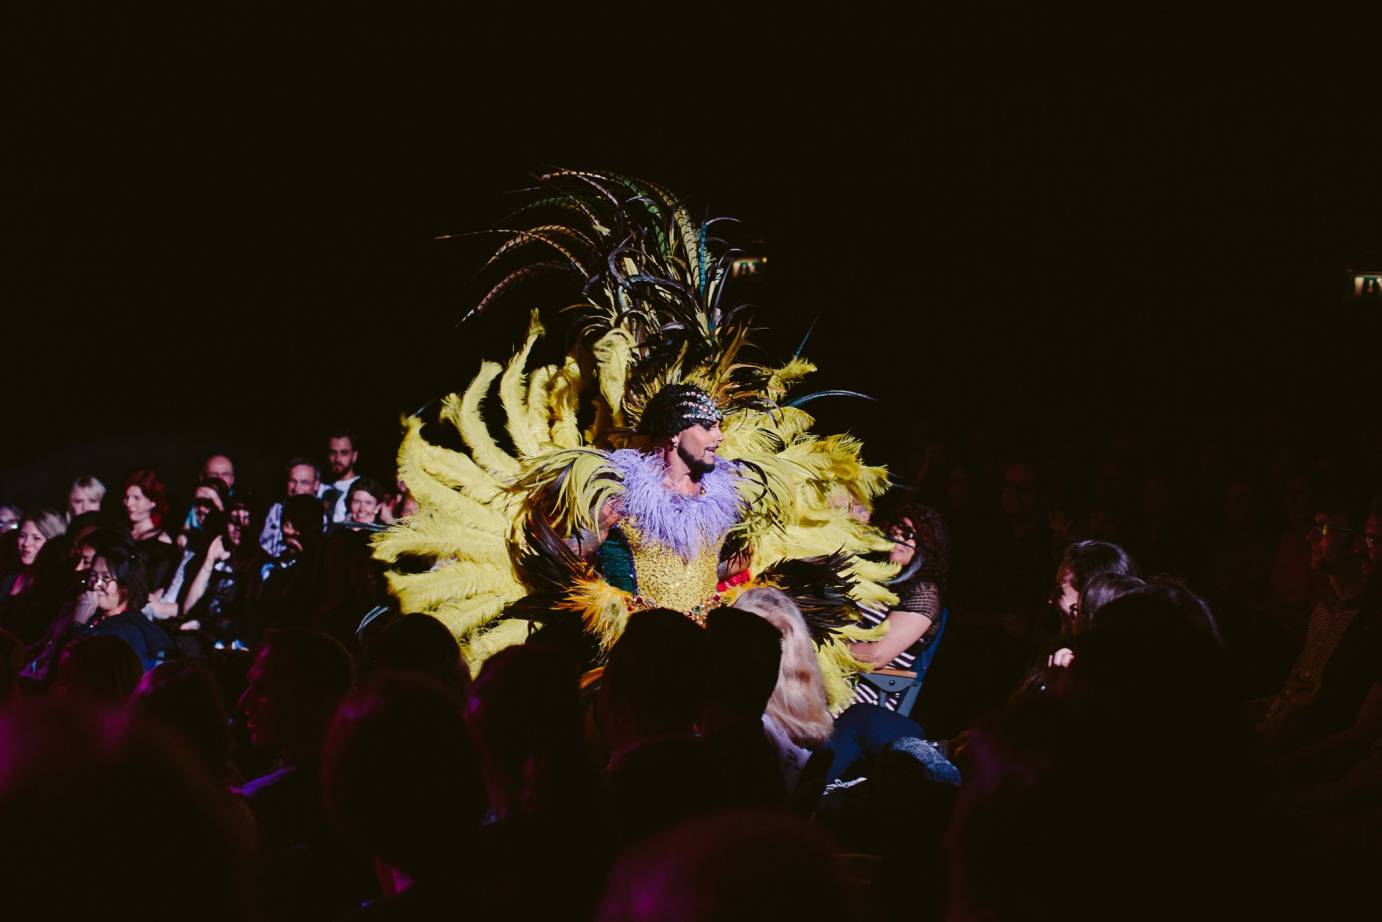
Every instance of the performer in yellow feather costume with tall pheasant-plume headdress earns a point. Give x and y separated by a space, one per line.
694 479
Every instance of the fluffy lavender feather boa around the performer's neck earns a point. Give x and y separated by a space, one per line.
683 523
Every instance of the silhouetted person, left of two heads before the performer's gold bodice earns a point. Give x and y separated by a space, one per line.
649 703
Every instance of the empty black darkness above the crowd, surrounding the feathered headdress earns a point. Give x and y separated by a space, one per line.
220 218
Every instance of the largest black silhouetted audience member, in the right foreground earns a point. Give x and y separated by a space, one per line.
1138 761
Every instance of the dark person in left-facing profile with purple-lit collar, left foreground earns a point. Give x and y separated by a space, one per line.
295 685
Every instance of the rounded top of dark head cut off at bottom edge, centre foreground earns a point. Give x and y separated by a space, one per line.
748 865
